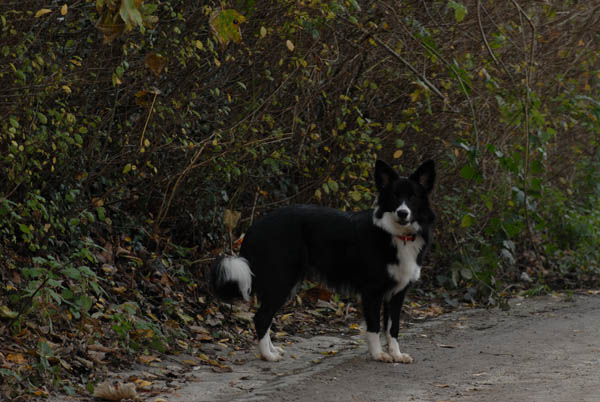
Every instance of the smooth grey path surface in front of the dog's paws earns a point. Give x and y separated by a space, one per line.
544 349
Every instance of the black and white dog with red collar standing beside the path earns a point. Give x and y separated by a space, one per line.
375 253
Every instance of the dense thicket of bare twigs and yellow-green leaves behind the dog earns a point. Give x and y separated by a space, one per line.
128 130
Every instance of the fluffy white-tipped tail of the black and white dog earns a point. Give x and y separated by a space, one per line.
231 277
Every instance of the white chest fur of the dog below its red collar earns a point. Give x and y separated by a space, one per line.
406 270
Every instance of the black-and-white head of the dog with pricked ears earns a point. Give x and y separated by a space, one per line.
403 202
